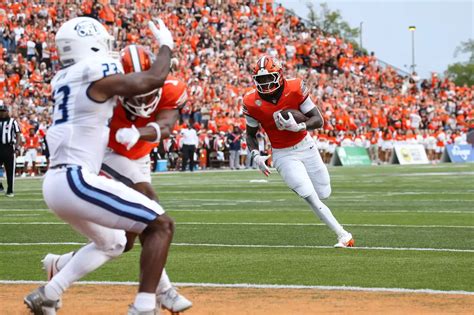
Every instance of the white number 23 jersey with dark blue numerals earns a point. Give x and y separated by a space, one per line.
80 133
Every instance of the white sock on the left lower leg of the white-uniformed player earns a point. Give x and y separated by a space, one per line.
86 260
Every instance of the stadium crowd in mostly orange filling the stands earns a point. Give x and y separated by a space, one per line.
364 103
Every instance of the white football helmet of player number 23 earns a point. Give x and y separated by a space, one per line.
81 38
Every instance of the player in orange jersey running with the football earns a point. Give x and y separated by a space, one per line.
295 154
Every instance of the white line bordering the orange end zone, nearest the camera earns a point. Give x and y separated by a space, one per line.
263 286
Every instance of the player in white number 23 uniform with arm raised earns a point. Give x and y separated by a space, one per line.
102 209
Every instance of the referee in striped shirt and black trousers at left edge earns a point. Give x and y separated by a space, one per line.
9 144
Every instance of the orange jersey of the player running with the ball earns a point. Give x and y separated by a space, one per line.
293 95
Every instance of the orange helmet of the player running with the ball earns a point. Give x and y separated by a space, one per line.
268 74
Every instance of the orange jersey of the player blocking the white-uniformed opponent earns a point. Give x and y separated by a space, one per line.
173 96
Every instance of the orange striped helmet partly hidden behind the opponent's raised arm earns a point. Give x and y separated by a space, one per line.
135 58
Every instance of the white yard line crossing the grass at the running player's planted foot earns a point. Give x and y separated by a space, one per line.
271 246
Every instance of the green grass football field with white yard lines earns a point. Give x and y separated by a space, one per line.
414 227
